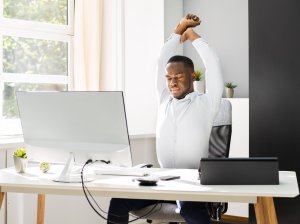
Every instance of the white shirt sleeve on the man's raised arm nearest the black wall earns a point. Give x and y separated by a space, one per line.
213 73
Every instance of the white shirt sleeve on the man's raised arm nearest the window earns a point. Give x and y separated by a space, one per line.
168 50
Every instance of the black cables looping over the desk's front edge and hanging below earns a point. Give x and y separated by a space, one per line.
85 189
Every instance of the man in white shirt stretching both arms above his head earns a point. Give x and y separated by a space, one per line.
185 117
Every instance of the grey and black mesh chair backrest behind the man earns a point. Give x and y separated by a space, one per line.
220 137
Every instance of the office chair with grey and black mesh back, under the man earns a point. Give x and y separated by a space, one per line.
219 145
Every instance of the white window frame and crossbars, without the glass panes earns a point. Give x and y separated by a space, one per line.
35 30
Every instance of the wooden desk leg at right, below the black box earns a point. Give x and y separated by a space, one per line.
265 211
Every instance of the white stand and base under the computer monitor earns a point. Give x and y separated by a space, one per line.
67 176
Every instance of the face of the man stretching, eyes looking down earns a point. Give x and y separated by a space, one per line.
180 79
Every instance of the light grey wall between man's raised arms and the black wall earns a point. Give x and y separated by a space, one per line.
225 26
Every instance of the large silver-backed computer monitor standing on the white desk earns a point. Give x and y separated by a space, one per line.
75 121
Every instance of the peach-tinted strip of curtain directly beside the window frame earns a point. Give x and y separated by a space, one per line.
87 44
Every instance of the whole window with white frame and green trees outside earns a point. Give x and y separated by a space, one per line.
35 50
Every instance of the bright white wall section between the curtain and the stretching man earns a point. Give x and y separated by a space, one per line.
144 37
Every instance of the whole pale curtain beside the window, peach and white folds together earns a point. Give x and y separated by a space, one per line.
97 44
